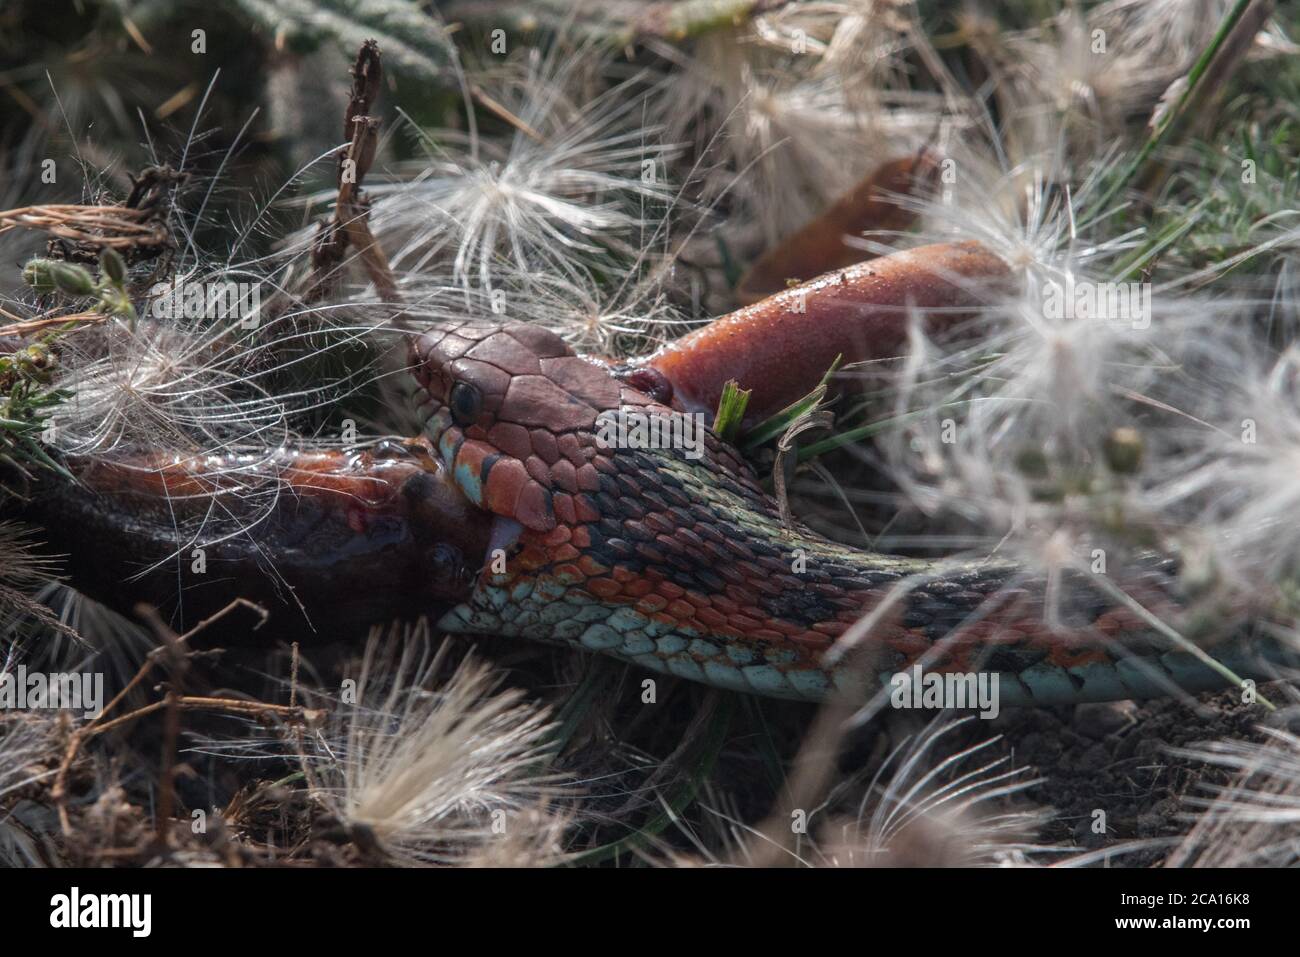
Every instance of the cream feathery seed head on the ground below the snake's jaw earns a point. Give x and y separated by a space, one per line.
426 769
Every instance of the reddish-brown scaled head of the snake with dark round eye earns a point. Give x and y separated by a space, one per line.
512 410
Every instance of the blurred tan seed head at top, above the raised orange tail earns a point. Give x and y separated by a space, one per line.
786 133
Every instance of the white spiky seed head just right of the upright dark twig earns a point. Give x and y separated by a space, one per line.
566 192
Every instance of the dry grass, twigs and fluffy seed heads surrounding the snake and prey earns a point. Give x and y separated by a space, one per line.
610 172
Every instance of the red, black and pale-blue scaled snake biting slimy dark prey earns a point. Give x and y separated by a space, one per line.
682 564
